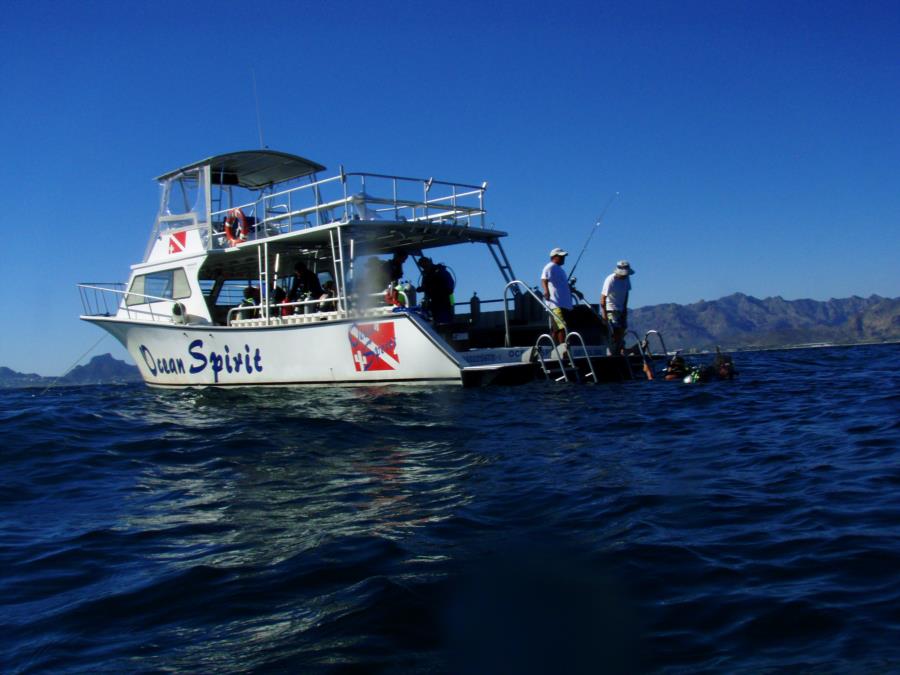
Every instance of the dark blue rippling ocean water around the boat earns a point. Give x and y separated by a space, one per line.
740 526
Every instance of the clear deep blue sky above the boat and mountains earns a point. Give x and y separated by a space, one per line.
756 145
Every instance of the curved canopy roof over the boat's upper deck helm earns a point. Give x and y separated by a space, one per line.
252 169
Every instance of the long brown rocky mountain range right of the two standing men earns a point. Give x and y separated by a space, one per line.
742 321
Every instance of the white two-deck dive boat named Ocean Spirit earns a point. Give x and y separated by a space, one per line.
215 301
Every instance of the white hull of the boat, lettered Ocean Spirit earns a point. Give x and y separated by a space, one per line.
396 348
